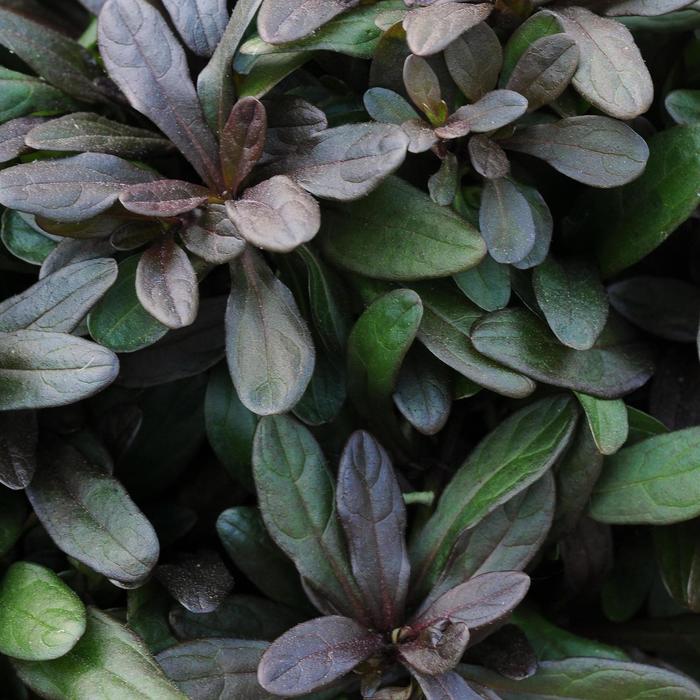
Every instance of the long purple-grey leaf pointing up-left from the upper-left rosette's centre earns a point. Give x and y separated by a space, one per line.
146 61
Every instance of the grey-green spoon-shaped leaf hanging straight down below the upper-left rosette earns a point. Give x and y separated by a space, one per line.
268 345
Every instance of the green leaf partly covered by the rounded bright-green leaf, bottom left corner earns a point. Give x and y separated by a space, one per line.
108 657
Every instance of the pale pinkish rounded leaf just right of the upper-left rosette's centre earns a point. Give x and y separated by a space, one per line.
276 215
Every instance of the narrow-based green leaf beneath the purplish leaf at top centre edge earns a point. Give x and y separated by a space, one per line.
353 34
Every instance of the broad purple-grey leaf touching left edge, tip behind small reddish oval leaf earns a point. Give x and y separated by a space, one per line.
71 189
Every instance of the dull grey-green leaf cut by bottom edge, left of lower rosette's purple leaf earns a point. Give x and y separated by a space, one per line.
215 668
